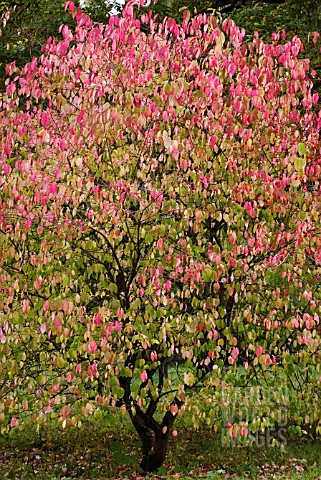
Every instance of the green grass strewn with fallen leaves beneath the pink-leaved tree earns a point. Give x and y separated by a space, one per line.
101 452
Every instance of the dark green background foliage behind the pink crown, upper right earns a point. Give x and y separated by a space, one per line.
266 17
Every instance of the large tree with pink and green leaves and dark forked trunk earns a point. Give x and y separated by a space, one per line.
159 228
